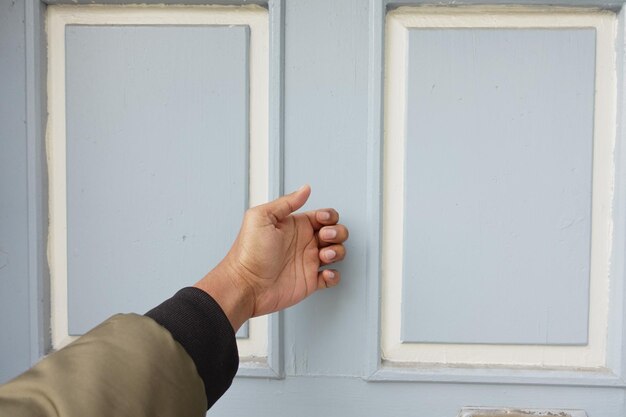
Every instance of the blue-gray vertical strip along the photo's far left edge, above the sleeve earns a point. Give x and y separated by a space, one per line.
14 286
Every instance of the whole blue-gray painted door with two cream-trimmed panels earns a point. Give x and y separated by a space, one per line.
473 151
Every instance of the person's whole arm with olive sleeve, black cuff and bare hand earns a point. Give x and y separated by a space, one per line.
181 357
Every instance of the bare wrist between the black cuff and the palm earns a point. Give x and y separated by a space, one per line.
233 295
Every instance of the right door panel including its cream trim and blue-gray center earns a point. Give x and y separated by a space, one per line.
497 187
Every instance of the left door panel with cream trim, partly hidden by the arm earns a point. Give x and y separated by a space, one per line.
157 144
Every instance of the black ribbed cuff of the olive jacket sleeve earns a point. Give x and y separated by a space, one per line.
198 323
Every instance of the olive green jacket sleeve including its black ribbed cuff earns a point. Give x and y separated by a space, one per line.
134 366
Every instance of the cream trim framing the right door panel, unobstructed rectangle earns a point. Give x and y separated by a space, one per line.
398 22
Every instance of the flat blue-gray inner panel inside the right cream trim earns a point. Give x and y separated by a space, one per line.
498 186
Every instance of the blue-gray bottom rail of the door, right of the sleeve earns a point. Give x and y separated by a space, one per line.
349 396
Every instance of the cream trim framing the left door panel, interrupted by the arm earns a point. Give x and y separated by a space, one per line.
256 18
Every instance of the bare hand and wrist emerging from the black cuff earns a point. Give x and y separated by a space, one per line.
275 260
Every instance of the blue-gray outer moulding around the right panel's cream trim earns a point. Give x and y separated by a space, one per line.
374 369
